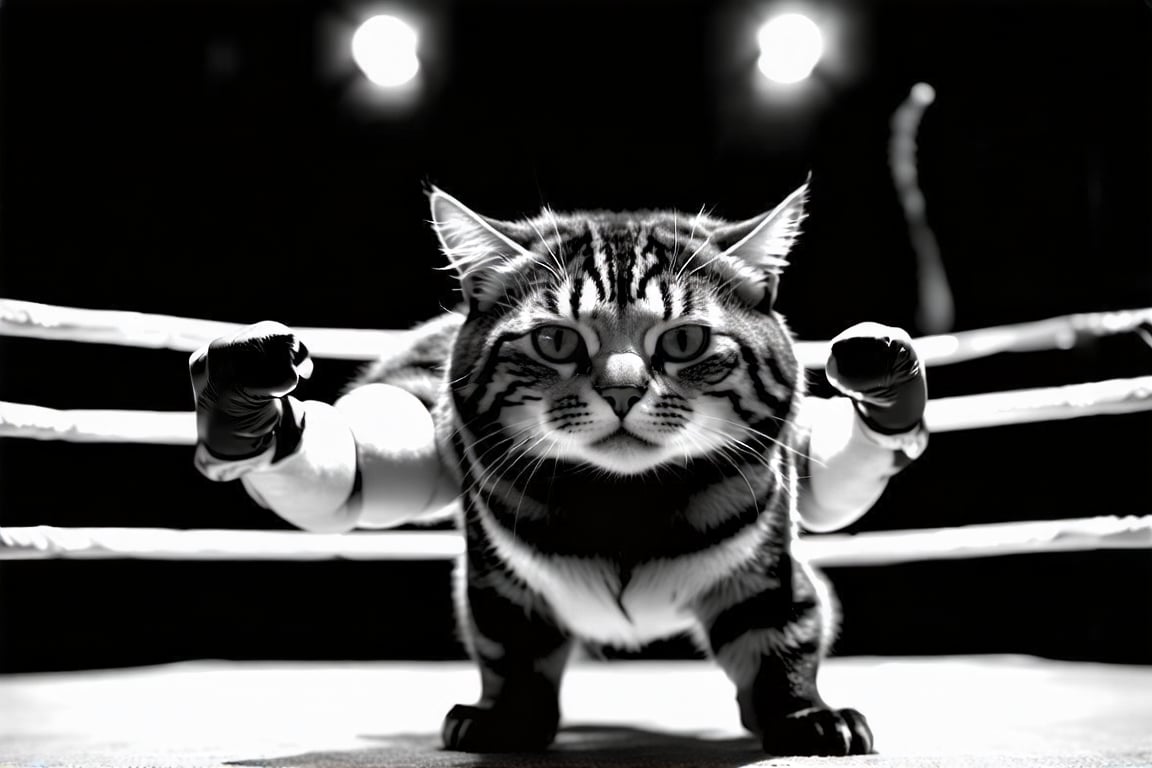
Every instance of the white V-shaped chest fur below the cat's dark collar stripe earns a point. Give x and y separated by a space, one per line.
654 602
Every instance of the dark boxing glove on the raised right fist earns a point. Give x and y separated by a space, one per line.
877 367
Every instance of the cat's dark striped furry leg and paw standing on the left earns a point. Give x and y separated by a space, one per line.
521 653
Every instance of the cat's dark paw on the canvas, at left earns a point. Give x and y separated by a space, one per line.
488 729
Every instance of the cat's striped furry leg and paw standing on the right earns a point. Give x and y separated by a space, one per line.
768 630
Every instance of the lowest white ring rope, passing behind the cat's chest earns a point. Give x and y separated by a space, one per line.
880 549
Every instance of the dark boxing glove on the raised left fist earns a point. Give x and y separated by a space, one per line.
241 385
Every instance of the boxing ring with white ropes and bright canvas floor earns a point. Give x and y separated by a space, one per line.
924 711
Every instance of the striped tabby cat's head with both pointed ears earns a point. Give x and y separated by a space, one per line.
622 341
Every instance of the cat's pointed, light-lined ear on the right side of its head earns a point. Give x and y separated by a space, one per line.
759 248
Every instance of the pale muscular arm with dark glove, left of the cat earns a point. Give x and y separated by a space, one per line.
368 461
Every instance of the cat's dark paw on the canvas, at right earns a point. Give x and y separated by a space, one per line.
818 732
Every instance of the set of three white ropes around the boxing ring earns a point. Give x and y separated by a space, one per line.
26 320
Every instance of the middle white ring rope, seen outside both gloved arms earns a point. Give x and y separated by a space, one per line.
943 415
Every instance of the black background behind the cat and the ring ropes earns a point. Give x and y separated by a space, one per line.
217 161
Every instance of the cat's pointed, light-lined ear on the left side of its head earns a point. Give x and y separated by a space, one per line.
480 249
